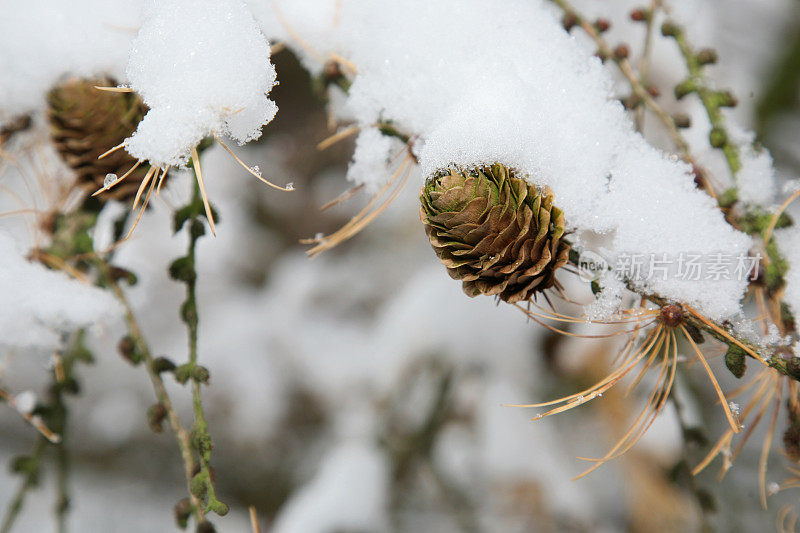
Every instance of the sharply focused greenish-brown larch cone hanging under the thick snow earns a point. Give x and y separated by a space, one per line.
494 231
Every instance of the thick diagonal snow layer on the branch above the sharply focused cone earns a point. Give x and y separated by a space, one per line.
480 85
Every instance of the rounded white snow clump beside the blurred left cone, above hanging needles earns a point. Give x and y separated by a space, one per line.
202 67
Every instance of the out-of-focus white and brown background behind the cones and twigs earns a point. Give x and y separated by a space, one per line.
361 390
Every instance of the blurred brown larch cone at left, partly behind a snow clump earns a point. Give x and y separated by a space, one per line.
86 122
